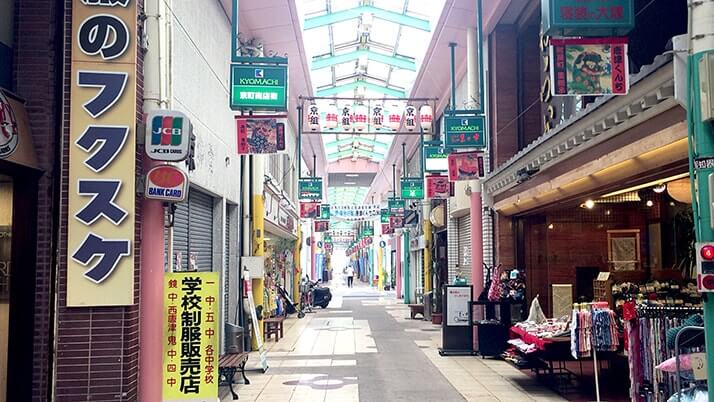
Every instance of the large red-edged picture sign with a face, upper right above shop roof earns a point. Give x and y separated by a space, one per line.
589 66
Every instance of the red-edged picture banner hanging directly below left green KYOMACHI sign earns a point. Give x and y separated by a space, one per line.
260 135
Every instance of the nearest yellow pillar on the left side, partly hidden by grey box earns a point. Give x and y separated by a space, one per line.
258 236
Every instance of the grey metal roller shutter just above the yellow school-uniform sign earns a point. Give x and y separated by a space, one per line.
200 225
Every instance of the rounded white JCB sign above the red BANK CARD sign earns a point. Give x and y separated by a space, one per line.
167 136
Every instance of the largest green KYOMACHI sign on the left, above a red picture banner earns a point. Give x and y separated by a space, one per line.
259 87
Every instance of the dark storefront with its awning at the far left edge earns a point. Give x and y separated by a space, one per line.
19 177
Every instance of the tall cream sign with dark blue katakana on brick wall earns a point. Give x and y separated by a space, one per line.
102 152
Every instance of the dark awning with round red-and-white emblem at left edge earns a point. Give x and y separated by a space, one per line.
16 143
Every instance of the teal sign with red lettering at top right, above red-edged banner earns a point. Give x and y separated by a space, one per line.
588 18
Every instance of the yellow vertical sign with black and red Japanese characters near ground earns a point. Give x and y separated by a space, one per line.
190 358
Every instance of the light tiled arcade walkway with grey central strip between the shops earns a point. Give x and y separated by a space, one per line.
364 347
